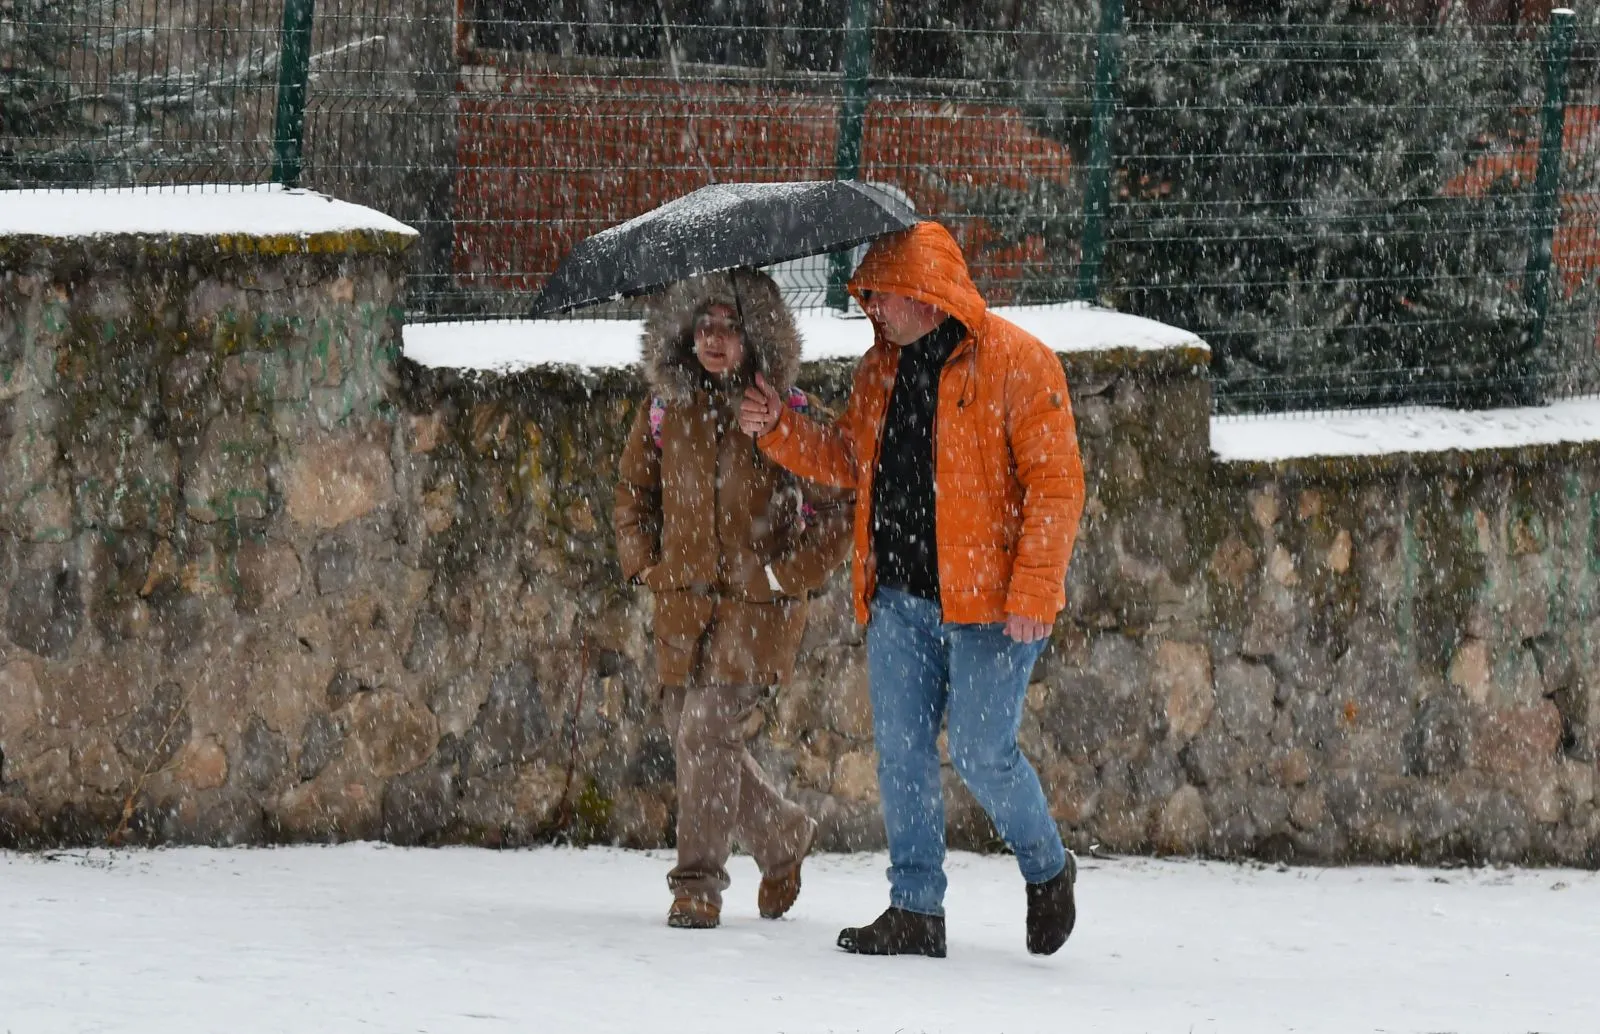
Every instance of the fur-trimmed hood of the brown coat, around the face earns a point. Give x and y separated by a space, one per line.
772 343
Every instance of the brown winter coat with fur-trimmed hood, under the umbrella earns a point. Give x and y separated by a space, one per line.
700 511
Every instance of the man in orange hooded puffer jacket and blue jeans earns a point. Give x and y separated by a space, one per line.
961 447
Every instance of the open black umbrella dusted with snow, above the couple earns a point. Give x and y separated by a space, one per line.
722 226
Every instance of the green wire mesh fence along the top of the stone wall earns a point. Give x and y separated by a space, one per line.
1353 204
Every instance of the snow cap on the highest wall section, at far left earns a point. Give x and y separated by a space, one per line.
257 210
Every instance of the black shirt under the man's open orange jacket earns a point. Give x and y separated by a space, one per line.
903 492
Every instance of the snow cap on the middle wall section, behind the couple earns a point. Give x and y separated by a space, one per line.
508 347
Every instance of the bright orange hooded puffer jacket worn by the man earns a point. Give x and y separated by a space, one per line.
1007 468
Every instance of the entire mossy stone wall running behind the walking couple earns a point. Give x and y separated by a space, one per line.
265 582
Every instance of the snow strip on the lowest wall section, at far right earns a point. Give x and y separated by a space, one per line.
1422 430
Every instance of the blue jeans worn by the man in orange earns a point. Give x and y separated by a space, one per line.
921 667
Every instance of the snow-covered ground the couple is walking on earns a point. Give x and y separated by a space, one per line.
377 939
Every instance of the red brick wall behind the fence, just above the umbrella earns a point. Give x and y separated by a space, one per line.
545 161
